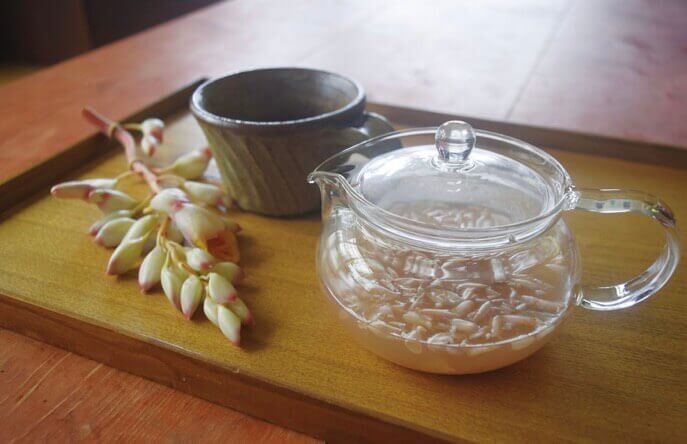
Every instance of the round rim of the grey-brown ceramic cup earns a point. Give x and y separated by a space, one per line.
350 111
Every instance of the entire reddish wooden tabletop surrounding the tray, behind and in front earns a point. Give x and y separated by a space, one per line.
613 67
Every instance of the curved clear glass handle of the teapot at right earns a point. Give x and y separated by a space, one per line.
641 287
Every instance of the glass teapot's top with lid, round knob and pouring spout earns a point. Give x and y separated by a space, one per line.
452 182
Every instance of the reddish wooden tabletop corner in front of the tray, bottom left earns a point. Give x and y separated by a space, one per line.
44 404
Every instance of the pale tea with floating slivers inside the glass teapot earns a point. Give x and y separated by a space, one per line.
442 310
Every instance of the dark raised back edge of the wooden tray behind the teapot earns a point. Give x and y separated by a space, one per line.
598 145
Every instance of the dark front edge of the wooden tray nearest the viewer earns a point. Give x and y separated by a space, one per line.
213 383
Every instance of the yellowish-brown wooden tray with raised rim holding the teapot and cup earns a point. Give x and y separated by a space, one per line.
607 375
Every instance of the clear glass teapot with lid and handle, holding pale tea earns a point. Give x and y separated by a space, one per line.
443 249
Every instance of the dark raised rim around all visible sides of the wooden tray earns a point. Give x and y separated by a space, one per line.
251 395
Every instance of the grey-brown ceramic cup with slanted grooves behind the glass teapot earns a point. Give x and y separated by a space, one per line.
269 128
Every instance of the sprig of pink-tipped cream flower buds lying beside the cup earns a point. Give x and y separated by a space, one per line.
190 247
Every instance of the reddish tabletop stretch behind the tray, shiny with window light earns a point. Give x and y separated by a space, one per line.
617 66
